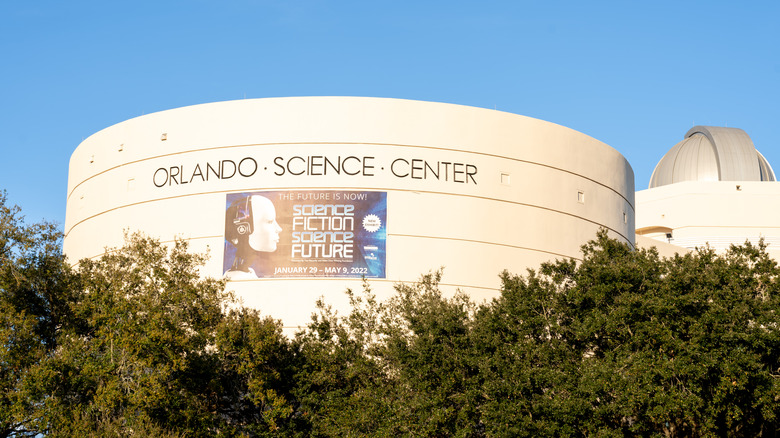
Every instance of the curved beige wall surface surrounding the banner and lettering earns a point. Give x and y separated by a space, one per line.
536 191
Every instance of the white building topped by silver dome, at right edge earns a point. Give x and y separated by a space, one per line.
712 188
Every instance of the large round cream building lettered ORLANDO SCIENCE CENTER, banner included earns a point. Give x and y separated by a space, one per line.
296 198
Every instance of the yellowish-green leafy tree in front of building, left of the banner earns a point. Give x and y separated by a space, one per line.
140 351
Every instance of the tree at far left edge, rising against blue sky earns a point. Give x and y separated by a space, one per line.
36 287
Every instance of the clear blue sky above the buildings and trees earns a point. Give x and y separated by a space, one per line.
635 75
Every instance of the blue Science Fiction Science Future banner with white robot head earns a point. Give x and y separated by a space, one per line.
311 233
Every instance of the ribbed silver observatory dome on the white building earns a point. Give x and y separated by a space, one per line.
711 153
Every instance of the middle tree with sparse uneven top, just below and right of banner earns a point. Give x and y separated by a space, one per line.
403 367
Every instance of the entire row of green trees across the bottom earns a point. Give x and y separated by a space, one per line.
622 343
